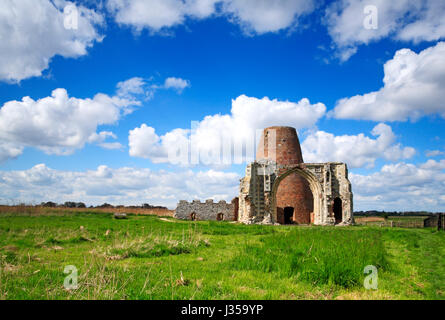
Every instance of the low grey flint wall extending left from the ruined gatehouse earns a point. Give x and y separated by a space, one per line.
209 210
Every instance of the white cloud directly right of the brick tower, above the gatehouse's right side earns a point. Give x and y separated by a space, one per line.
357 151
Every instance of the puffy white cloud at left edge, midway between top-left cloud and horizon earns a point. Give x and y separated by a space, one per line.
59 124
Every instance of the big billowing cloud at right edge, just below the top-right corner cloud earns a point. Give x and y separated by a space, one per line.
413 87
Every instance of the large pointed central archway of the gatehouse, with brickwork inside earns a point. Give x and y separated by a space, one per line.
313 204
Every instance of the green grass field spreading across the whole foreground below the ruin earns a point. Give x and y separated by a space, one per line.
151 257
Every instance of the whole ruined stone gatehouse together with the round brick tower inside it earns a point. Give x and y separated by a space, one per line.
280 188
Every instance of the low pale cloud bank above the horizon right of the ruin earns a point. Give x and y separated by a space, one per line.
401 186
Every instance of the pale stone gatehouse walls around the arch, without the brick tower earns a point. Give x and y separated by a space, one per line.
258 191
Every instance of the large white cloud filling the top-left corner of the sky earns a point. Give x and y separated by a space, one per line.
32 32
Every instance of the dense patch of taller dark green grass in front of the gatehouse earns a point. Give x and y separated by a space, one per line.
315 255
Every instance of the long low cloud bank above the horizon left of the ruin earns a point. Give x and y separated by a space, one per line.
127 186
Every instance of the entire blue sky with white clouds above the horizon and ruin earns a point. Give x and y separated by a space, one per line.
111 101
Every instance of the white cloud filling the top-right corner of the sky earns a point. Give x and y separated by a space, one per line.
408 20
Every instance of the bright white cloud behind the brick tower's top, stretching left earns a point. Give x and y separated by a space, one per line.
220 139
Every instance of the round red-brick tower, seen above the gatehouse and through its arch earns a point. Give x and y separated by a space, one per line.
294 197
